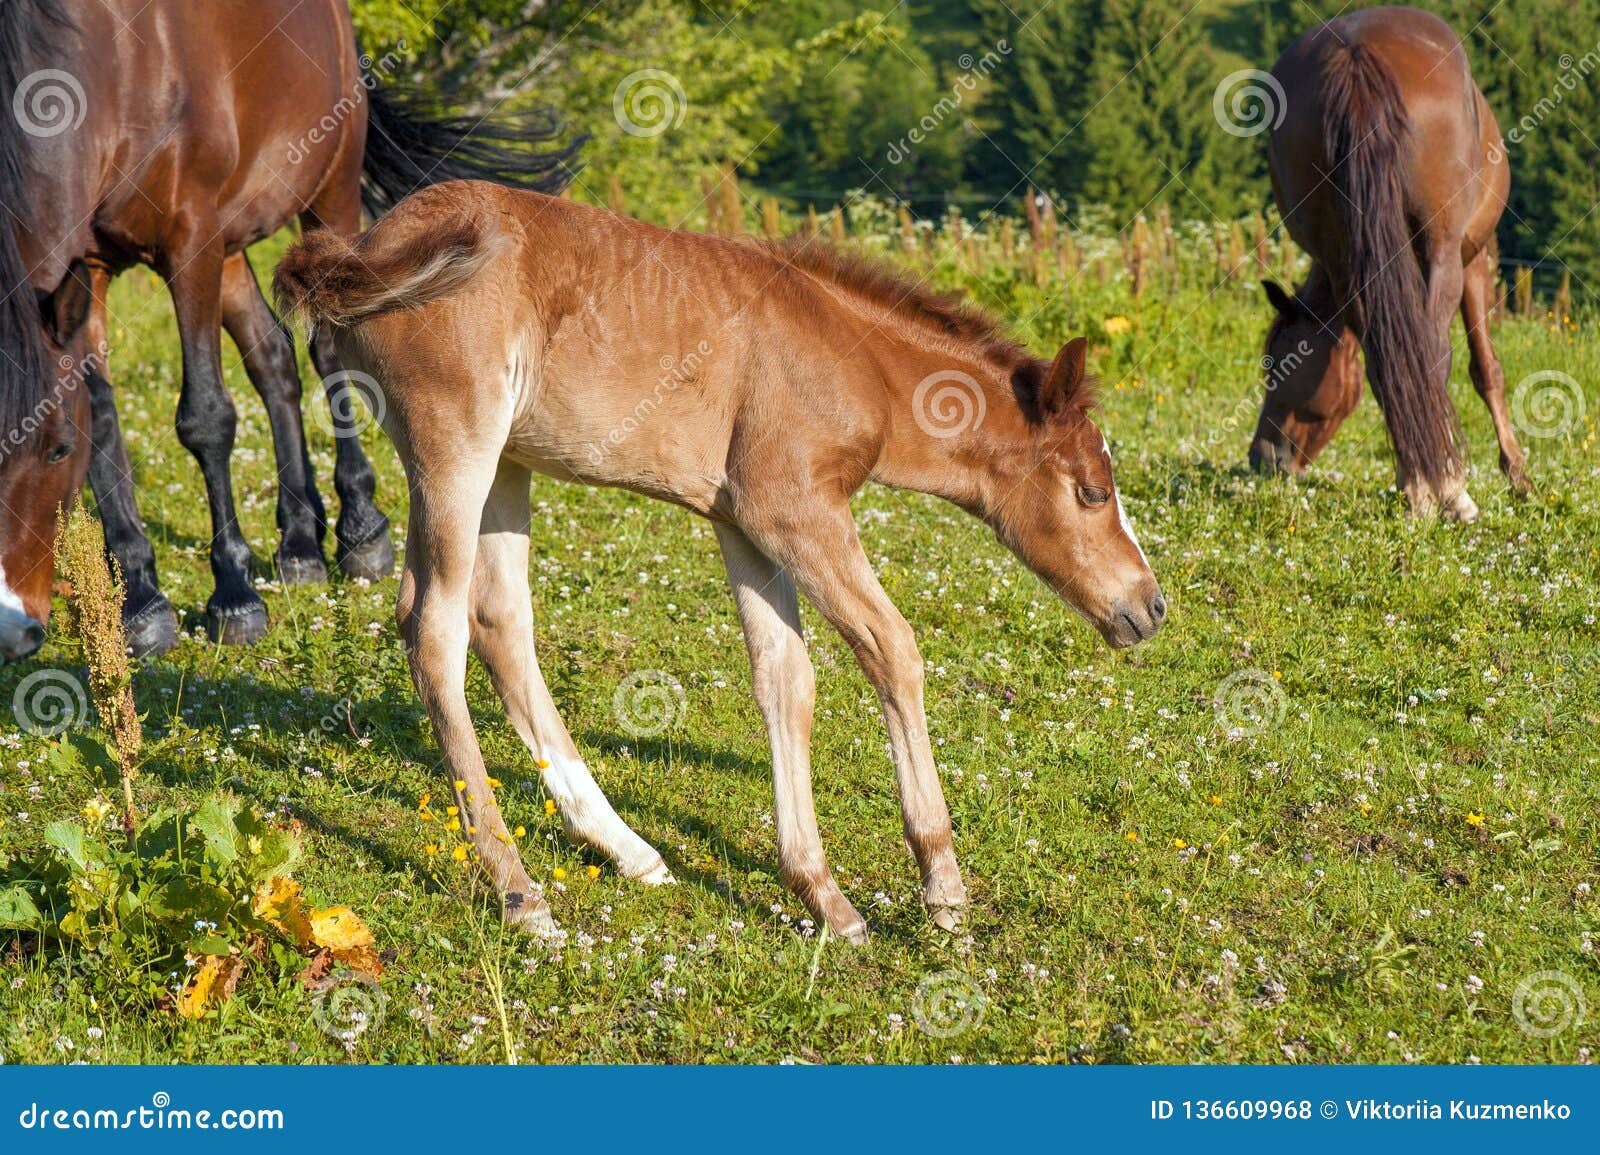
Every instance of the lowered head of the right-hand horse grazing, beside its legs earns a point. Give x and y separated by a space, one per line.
1314 380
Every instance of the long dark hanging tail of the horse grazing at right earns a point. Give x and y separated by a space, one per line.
1364 135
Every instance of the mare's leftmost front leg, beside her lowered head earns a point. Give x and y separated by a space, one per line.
146 613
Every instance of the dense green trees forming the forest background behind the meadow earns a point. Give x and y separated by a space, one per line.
1100 103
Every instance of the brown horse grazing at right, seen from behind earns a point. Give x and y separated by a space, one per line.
1391 174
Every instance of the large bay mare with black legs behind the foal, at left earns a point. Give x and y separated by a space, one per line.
177 135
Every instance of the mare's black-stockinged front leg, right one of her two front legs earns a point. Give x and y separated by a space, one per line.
207 420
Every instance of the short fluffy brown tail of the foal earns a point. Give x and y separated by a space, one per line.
330 281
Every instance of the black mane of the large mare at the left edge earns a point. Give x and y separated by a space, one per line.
28 30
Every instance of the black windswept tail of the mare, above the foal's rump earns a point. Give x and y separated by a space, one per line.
414 143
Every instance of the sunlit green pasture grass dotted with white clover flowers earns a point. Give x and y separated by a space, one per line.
1345 809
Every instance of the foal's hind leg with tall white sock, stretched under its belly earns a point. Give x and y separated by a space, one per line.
503 641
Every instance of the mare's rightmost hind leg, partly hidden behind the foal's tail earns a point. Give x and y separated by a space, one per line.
362 530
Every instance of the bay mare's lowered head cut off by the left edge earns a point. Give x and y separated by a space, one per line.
44 447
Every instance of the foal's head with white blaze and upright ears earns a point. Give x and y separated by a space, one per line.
1058 510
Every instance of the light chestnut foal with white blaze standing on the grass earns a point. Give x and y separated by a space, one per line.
758 388
